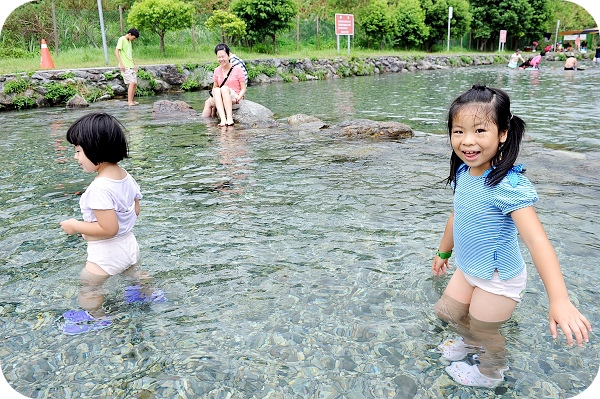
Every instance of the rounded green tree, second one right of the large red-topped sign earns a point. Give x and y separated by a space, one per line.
410 29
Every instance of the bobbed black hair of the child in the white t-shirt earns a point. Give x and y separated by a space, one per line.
100 136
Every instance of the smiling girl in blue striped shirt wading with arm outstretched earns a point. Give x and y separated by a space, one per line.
493 201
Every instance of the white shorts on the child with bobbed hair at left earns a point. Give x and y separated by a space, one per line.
114 255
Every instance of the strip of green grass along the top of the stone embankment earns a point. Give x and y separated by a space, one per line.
183 54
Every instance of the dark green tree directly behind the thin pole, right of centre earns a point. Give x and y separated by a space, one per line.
436 18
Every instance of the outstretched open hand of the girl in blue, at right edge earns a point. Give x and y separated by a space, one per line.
566 315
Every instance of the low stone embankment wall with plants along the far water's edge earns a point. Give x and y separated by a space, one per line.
57 87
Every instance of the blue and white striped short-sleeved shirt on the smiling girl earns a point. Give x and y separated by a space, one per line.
485 236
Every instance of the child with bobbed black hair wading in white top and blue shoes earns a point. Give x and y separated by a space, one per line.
110 207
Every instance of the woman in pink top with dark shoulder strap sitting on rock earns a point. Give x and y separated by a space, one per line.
228 89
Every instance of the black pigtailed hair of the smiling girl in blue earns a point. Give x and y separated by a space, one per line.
498 104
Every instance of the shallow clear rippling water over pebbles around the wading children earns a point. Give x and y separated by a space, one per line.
296 264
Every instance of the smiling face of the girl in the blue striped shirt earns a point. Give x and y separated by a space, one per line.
475 137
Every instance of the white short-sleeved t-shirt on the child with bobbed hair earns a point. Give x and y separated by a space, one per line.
104 193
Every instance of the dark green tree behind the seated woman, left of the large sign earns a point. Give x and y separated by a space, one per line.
265 18
